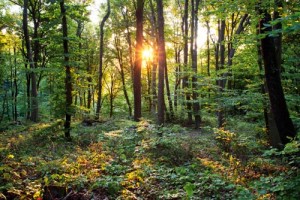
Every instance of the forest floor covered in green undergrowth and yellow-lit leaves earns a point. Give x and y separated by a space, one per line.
122 159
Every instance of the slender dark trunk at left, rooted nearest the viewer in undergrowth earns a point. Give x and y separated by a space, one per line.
68 79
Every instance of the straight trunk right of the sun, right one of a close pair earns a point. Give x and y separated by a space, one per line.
194 32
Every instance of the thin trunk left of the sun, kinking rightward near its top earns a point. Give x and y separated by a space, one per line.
100 69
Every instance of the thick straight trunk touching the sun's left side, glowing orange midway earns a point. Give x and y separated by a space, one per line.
138 61
